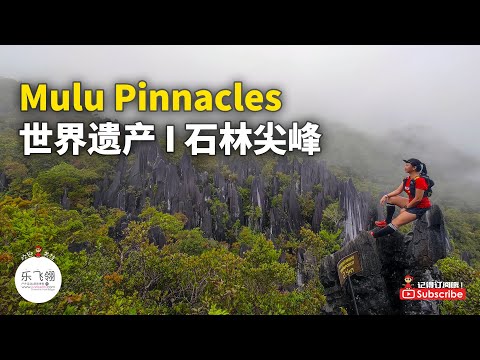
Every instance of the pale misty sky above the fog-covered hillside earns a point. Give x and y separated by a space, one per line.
386 88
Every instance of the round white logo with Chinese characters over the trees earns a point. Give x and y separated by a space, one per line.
38 279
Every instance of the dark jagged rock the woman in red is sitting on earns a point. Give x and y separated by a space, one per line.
385 262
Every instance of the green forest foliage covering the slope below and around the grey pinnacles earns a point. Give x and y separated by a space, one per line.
191 274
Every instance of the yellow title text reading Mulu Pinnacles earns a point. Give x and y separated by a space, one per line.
202 100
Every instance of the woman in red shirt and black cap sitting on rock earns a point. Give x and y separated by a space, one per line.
417 186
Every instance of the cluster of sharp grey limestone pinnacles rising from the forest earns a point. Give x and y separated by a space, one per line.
147 173
